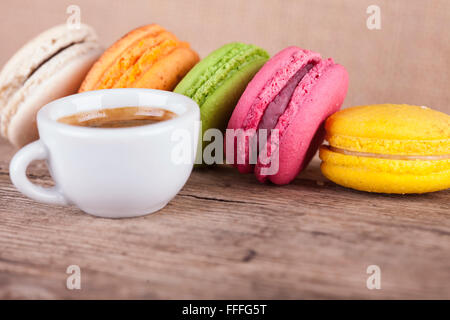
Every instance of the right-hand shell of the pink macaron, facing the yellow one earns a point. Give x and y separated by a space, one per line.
319 94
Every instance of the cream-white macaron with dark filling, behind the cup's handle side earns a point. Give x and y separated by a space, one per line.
50 66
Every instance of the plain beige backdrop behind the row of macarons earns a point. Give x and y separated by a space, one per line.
407 61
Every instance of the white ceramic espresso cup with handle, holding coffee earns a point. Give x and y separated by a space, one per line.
112 172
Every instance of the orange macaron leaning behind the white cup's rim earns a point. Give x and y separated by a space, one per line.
147 57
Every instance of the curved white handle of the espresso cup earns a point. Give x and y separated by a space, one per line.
17 171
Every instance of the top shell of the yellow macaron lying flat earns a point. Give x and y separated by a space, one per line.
390 129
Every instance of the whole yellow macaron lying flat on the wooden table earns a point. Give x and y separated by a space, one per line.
388 148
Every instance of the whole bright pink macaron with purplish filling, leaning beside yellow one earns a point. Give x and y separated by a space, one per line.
291 95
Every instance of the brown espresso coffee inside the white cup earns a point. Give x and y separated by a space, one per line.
118 117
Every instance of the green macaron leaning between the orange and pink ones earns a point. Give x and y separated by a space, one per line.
217 82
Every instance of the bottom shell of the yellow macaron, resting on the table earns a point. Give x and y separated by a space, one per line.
384 175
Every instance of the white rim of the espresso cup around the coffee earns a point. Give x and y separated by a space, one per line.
44 117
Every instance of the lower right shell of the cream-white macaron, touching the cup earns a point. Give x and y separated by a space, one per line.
58 77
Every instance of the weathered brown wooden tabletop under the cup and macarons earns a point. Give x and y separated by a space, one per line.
227 236
